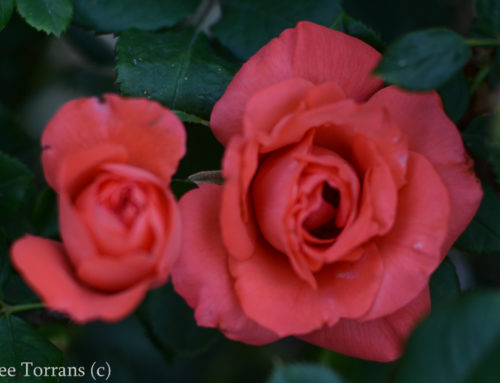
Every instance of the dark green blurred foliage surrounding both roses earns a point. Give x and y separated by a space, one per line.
183 53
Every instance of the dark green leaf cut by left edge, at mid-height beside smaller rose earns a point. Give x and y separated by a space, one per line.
14 181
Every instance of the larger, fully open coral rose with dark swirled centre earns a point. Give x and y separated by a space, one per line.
341 198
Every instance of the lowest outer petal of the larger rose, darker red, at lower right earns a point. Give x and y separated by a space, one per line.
380 340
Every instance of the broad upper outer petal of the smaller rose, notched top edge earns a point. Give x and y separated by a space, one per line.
144 128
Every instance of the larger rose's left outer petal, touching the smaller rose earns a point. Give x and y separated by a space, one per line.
201 275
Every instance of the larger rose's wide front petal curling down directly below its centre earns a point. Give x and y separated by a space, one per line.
275 297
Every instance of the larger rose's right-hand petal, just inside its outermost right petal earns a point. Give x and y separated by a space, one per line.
413 249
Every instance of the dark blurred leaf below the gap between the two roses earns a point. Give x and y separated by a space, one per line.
172 322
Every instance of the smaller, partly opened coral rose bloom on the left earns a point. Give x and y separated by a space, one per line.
110 163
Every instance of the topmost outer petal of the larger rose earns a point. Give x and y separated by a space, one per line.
309 51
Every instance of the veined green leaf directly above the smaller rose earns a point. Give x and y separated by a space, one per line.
181 69
